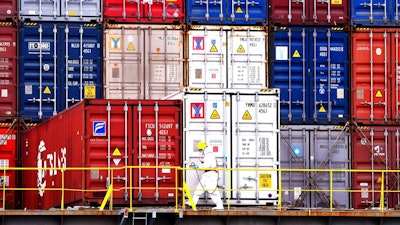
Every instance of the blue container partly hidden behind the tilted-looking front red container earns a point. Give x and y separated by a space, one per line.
60 64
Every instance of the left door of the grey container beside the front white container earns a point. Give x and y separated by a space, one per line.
294 155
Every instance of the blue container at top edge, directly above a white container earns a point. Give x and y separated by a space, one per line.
228 12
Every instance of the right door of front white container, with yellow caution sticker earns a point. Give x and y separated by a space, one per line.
255 120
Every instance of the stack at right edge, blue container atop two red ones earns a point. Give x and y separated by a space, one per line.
375 101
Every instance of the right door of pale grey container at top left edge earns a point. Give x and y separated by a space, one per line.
81 10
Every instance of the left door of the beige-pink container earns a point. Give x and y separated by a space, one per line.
123 63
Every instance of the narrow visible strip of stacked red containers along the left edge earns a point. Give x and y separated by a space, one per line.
8 102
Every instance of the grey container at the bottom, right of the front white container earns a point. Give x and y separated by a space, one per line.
315 147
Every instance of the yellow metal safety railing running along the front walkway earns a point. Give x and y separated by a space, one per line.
183 191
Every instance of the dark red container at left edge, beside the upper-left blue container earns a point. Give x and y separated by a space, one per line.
8 71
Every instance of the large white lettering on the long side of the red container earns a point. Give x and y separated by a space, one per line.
55 160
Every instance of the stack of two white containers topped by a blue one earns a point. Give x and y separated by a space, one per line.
226 104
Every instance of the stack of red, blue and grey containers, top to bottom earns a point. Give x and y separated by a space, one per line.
309 62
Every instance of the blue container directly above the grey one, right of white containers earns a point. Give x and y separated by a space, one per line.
310 66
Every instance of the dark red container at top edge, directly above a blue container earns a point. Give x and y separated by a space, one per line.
309 12
